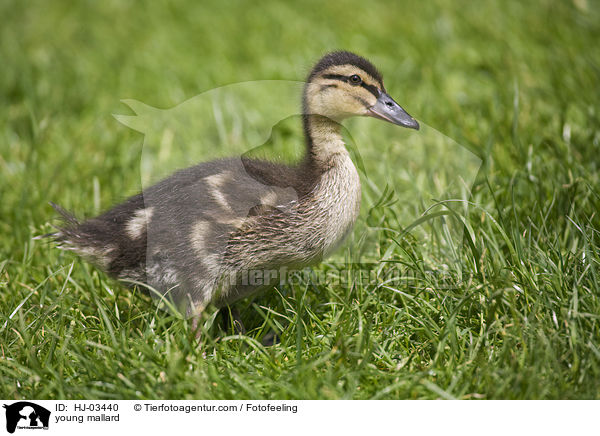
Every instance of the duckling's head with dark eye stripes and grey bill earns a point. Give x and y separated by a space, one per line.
343 85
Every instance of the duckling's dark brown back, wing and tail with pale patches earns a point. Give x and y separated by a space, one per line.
174 235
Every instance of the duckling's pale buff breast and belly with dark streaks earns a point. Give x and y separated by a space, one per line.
305 231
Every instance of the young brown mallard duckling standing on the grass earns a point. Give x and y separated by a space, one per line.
195 235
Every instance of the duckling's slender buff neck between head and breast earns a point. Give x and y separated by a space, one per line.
324 140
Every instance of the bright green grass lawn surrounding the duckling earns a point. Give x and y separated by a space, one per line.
514 82
